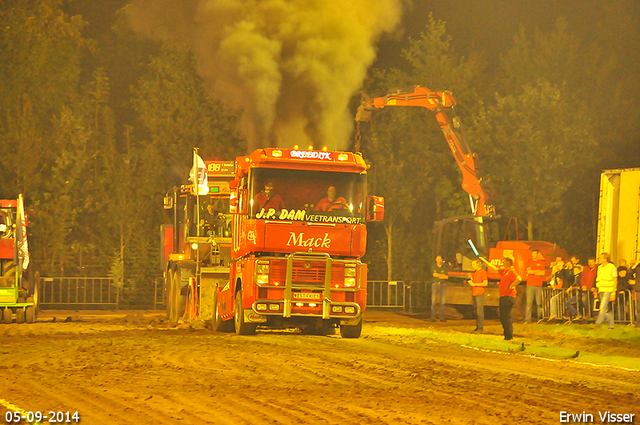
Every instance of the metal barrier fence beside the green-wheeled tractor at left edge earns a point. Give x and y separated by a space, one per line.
79 291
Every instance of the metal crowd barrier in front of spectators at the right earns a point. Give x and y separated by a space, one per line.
555 305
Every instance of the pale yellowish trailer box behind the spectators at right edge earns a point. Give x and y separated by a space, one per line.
619 214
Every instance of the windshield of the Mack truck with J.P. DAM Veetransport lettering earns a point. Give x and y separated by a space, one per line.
322 196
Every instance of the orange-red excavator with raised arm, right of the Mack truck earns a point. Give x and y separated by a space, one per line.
453 234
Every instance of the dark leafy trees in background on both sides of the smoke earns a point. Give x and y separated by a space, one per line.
96 126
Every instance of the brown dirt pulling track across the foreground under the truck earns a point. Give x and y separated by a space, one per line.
115 371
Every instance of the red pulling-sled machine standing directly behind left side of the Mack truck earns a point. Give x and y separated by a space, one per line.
197 246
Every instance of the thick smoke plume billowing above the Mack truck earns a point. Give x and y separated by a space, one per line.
292 65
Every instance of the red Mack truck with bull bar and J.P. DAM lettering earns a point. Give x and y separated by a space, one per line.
297 225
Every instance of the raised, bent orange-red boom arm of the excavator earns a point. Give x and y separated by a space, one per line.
442 104
